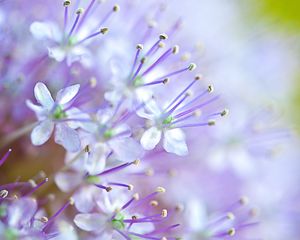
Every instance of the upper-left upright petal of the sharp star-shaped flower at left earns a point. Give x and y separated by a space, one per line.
43 96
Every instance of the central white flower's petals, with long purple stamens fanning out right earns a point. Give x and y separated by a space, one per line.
173 138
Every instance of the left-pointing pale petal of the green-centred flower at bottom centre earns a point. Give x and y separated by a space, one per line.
90 221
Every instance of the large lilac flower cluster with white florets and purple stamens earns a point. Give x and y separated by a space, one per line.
117 87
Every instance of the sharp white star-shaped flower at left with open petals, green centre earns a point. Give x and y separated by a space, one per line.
50 113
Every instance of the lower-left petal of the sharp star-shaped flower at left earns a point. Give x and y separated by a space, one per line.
42 132
